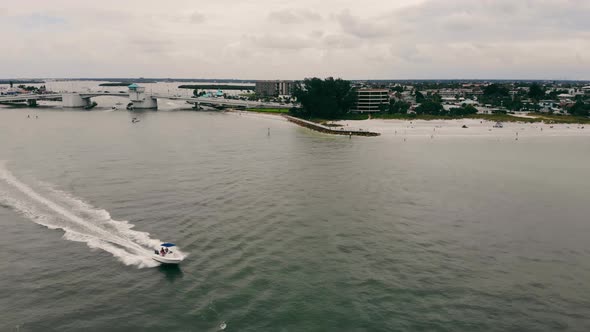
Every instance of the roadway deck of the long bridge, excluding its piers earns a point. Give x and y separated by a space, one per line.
29 98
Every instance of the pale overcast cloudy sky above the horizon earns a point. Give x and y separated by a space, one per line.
277 39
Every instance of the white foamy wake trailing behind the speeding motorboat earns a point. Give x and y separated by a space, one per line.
79 220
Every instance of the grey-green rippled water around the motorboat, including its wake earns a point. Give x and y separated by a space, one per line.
295 231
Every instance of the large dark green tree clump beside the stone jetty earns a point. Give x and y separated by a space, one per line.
328 99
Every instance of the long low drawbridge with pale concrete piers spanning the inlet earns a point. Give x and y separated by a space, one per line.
137 97
